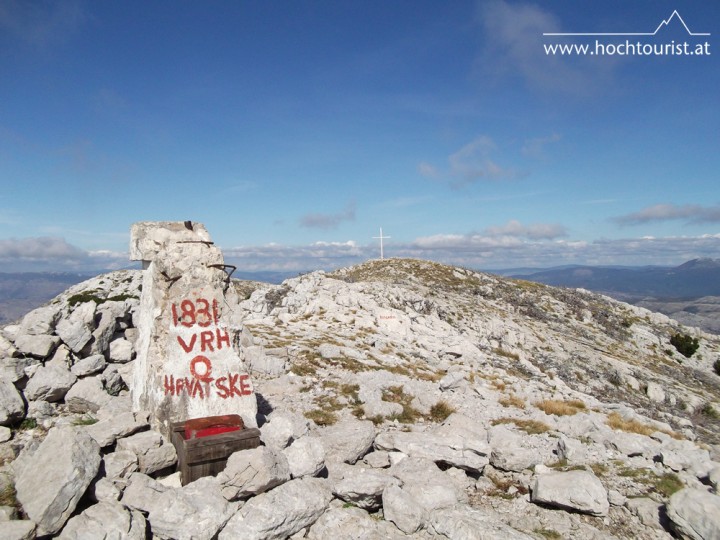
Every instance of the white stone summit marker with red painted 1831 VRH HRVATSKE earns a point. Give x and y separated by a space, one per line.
189 362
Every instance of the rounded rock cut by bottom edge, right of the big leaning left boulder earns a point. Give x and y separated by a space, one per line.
106 520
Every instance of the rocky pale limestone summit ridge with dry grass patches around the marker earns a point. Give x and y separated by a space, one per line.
396 399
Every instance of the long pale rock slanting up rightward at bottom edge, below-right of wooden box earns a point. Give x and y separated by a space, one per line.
281 512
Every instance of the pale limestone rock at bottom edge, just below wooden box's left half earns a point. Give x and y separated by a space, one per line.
194 512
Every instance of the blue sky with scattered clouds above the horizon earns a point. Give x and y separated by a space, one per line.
295 130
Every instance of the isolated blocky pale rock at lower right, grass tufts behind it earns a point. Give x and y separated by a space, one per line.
574 490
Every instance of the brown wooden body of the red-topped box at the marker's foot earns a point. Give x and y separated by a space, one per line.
207 456
